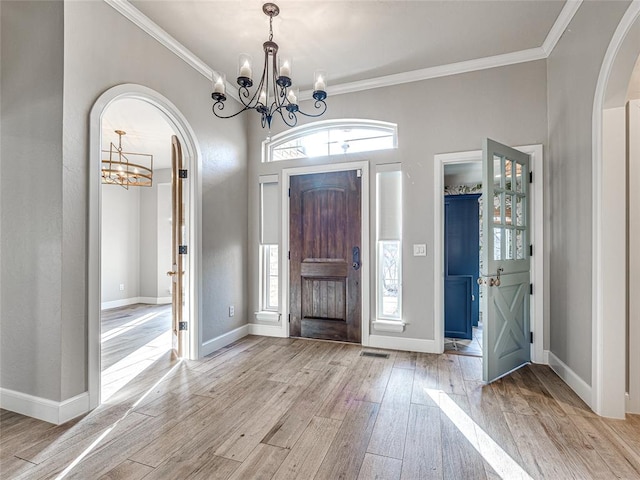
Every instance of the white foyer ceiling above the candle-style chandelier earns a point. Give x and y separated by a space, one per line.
355 40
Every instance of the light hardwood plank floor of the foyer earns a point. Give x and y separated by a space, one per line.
268 408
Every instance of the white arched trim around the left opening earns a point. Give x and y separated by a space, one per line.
192 156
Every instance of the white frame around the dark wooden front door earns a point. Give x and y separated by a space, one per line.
364 247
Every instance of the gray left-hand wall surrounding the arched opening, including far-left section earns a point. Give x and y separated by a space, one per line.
44 281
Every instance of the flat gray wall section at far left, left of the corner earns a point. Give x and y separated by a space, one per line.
31 191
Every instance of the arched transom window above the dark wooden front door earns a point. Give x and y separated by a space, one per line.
331 137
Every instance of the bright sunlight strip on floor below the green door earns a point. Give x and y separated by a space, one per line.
491 452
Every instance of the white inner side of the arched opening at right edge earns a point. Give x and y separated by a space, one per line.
609 366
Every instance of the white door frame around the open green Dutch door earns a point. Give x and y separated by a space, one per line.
539 260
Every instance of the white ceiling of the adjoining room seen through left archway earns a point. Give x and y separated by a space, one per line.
146 129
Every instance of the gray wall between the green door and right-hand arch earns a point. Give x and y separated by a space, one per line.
573 70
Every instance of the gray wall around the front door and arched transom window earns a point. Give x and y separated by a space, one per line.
436 116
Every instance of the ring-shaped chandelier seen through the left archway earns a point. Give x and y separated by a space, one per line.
119 170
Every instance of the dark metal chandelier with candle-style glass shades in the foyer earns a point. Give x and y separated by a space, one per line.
274 94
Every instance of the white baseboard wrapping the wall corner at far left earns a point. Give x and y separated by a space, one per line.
42 408
